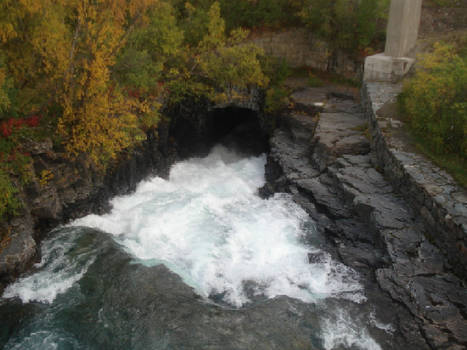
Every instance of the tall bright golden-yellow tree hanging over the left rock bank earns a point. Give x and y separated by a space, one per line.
97 119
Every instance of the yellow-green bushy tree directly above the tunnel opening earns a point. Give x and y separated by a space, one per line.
215 65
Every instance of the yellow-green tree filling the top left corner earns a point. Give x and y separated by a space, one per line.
35 42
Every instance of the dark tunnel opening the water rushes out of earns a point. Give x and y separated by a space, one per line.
236 128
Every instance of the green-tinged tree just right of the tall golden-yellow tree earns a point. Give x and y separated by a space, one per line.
151 50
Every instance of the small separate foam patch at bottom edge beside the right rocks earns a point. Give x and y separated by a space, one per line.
341 330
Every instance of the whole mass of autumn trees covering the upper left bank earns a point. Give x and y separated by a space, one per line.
98 71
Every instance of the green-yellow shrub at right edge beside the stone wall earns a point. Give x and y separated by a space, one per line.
434 101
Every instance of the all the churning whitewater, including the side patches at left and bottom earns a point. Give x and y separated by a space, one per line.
207 224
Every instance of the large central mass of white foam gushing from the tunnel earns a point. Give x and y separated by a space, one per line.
207 224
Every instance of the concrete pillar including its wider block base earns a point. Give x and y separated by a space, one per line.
401 37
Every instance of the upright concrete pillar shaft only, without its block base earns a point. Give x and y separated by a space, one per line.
402 30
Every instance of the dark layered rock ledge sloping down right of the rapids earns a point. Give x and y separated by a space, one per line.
369 225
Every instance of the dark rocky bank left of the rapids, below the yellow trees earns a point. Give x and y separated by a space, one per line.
73 190
